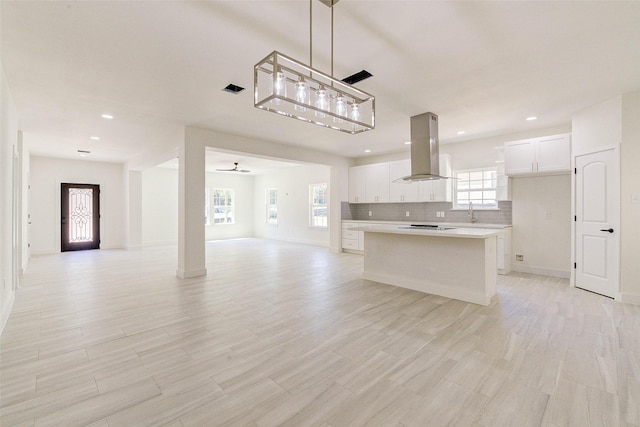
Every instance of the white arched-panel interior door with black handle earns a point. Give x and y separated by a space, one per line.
597 220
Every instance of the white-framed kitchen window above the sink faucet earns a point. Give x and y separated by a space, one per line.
482 187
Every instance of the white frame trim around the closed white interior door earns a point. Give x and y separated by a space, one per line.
616 184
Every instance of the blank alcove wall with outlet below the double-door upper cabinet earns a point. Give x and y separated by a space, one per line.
542 224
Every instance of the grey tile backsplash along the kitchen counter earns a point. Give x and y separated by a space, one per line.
423 212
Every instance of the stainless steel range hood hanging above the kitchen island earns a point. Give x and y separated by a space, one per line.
425 154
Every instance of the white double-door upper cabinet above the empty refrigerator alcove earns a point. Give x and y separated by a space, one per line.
543 156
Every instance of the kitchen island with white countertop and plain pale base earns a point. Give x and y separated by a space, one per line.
458 263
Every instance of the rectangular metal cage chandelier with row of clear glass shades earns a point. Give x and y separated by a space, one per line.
316 97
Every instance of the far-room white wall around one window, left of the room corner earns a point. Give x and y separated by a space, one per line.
243 187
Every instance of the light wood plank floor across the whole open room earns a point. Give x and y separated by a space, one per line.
285 334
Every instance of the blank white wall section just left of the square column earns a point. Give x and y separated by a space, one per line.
159 206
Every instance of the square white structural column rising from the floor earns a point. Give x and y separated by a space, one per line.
191 231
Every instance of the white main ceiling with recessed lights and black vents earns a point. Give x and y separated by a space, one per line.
483 67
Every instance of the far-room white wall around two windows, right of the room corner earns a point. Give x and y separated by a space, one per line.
293 205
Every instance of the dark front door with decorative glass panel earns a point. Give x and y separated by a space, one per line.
80 217
